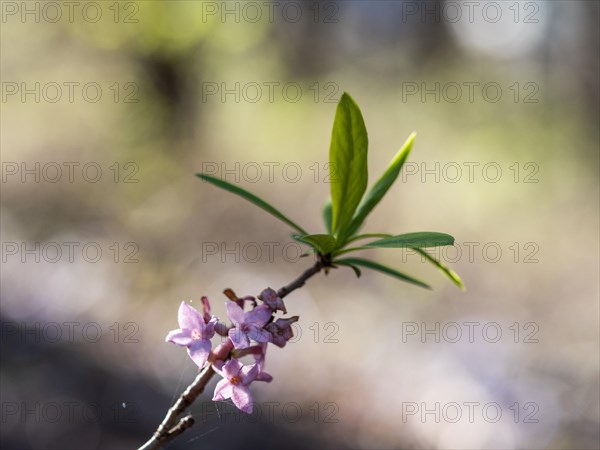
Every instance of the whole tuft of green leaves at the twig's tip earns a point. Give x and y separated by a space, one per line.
351 203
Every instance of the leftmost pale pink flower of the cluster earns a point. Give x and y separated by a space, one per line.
193 333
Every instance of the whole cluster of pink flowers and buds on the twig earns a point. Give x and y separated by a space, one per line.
249 333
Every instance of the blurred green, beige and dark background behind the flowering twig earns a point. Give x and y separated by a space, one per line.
109 108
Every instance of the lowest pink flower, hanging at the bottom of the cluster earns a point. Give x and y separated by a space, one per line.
234 385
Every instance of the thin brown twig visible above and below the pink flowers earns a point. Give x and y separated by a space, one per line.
170 427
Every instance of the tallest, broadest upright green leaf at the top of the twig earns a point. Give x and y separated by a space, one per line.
347 163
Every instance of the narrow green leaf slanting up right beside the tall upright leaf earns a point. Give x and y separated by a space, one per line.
382 185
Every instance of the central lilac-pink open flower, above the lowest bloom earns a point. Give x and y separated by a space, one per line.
248 325
